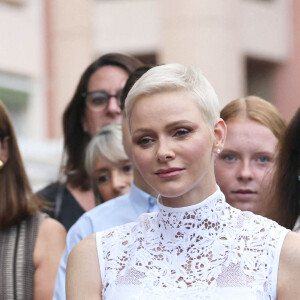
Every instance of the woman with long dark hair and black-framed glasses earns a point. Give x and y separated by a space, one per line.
96 103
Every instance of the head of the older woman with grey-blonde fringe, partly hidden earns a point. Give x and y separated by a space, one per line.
108 165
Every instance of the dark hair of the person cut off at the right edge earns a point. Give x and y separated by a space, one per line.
286 185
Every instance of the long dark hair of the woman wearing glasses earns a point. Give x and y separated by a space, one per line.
75 138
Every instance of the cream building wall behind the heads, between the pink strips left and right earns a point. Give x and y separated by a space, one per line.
216 35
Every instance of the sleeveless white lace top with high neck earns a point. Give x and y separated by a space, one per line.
206 251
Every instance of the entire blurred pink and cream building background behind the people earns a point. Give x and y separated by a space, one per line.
243 47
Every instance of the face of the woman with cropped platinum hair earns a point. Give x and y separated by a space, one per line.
172 145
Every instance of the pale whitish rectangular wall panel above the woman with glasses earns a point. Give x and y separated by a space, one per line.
126 26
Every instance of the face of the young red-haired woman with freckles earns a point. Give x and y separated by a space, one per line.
244 168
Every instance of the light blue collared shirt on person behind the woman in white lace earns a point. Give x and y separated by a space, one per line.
115 212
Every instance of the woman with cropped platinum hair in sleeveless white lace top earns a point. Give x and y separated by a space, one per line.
196 246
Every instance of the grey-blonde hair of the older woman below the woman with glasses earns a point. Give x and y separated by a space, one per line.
108 143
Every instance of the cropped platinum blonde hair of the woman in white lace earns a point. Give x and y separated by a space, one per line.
177 77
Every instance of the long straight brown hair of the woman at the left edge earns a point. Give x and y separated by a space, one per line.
17 202
